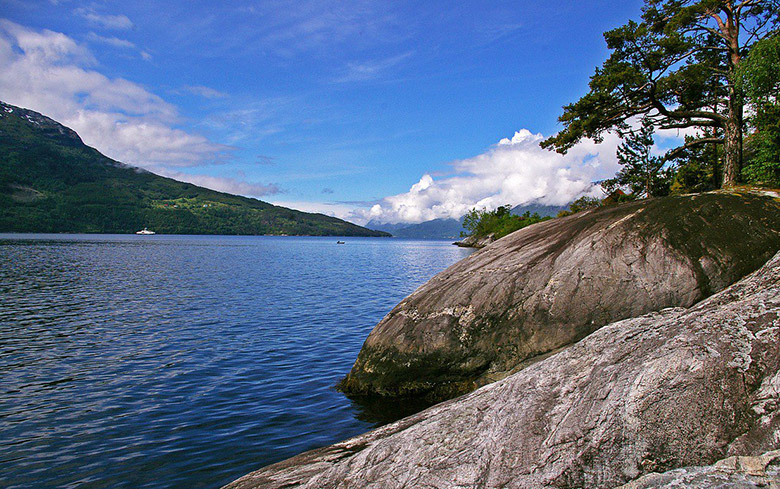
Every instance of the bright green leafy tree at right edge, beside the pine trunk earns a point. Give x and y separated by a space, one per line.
760 80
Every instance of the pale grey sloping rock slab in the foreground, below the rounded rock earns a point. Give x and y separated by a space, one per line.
670 389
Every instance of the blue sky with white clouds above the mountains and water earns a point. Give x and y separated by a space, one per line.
367 110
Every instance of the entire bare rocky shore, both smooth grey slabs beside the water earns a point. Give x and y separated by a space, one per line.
625 347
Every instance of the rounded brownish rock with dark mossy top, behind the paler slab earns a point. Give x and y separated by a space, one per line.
553 283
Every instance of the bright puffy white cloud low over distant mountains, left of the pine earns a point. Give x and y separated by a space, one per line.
514 171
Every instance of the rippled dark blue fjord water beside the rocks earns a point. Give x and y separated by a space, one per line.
185 361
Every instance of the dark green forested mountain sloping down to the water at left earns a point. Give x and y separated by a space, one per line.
50 181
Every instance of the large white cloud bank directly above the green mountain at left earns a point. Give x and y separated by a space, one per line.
49 72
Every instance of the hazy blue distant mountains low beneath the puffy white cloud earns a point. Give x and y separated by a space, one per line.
451 228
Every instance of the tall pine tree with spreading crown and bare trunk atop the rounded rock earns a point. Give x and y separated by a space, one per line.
675 68
